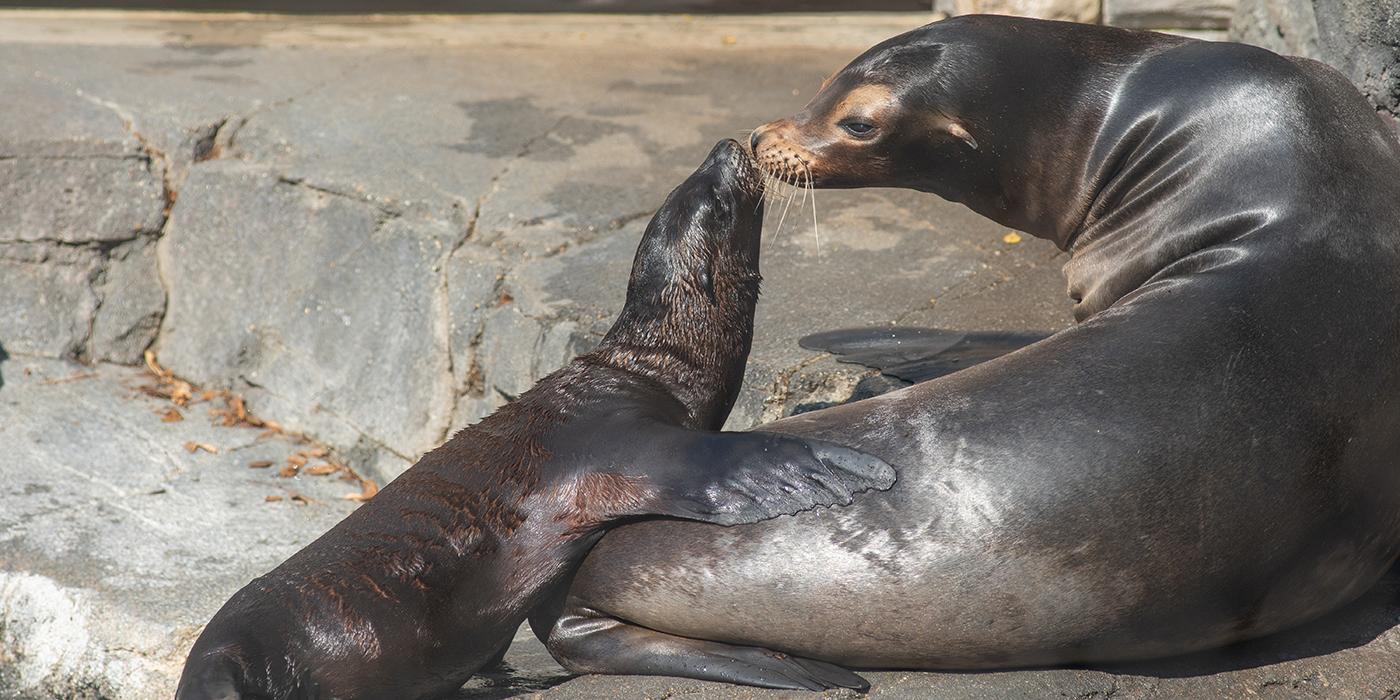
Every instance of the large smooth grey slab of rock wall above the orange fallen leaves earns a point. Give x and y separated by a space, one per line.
328 309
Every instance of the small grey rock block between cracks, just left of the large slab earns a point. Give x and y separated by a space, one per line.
131 304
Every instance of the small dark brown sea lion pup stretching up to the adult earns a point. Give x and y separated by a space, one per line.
425 584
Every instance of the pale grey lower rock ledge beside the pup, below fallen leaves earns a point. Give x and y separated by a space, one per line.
115 542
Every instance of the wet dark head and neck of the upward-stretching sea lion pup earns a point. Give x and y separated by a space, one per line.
695 283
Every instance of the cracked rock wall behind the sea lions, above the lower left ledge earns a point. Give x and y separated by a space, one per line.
379 248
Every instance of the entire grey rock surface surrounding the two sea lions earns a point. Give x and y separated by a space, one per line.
380 230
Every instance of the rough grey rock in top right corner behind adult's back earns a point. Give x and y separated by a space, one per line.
1361 38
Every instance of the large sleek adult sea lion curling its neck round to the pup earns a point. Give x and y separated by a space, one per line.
1210 456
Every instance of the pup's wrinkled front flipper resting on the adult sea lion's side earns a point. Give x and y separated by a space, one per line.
737 478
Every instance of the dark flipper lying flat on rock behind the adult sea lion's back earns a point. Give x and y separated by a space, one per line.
918 355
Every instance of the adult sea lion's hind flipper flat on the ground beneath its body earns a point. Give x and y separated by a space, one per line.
587 642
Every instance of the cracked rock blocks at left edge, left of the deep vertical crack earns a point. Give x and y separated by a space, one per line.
83 199
